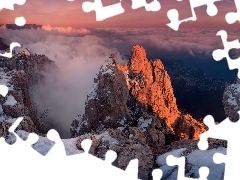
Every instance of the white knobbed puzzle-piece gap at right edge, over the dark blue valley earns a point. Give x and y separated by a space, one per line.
224 53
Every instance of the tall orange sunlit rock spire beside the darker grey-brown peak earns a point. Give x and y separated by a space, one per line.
151 85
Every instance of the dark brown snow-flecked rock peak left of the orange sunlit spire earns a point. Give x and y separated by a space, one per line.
106 104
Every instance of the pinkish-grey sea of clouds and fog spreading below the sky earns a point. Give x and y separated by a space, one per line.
79 53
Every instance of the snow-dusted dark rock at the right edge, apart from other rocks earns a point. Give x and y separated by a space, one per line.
231 100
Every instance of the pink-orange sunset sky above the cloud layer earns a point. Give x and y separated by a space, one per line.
64 13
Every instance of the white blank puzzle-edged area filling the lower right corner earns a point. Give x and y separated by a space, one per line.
226 130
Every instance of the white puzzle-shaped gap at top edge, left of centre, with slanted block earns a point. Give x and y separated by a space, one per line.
102 12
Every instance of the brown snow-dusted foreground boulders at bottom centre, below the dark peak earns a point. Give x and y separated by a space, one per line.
128 143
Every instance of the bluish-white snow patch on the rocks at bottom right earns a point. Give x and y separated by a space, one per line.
194 161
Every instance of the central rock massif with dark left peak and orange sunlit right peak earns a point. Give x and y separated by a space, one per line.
137 94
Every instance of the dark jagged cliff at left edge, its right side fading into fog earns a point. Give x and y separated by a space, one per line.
21 72
